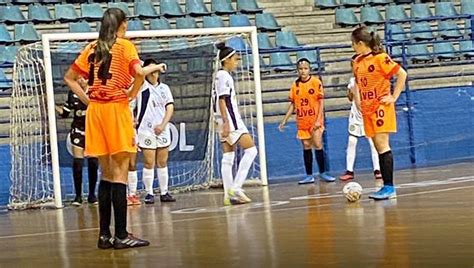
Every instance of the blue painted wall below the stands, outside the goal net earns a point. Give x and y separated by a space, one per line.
443 130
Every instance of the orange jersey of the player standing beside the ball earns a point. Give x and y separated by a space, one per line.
373 73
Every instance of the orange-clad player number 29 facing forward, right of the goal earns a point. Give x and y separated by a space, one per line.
306 98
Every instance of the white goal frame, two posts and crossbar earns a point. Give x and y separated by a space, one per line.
48 39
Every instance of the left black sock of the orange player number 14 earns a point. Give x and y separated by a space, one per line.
105 207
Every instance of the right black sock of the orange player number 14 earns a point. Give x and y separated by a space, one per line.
119 200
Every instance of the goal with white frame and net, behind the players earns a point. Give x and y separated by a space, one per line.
41 167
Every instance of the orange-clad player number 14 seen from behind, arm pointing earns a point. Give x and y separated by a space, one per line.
111 64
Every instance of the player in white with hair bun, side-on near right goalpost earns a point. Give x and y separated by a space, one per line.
232 130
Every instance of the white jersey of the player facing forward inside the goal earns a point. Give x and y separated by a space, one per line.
151 105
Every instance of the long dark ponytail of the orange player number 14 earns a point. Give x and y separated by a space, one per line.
110 23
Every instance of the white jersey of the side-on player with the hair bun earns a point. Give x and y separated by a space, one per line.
224 87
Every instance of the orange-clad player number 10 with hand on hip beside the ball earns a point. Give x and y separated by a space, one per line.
373 69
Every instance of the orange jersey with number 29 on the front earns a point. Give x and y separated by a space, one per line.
306 97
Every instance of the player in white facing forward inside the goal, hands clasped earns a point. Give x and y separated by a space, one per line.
155 107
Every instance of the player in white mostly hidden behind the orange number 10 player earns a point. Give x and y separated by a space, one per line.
356 130
